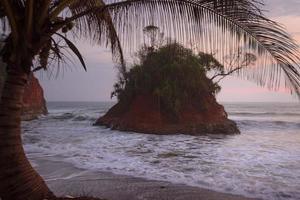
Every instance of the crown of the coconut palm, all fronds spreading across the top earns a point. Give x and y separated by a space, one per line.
222 26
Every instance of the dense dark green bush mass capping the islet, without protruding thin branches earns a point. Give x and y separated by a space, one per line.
173 74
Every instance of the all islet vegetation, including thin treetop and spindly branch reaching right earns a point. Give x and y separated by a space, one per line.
175 75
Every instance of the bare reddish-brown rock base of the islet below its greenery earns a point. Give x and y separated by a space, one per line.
145 116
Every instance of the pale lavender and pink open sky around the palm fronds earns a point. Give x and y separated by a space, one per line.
74 84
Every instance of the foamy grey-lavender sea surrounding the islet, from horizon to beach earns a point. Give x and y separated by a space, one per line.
261 162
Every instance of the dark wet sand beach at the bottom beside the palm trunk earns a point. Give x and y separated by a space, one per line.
73 181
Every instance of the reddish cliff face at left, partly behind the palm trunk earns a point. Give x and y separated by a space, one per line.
34 103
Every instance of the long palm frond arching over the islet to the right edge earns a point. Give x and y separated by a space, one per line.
219 26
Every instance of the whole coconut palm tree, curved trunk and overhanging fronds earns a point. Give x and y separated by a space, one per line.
37 34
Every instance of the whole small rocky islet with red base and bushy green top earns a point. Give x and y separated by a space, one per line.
168 92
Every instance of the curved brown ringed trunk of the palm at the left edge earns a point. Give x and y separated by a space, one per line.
18 180
